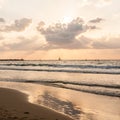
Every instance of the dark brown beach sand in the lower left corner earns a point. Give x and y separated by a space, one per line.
14 105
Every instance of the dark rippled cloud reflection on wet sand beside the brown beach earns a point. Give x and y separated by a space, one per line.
65 107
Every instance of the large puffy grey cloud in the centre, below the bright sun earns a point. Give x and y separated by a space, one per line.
64 35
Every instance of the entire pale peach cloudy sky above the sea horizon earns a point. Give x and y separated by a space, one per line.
70 29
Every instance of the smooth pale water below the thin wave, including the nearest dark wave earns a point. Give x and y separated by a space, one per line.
103 84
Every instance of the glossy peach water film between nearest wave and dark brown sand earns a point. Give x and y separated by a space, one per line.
78 105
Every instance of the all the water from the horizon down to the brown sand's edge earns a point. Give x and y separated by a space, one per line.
65 86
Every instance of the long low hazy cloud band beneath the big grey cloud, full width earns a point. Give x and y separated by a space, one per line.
33 44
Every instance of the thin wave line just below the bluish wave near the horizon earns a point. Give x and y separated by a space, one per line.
64 70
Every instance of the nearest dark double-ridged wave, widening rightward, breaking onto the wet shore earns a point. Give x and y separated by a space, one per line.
94 88
